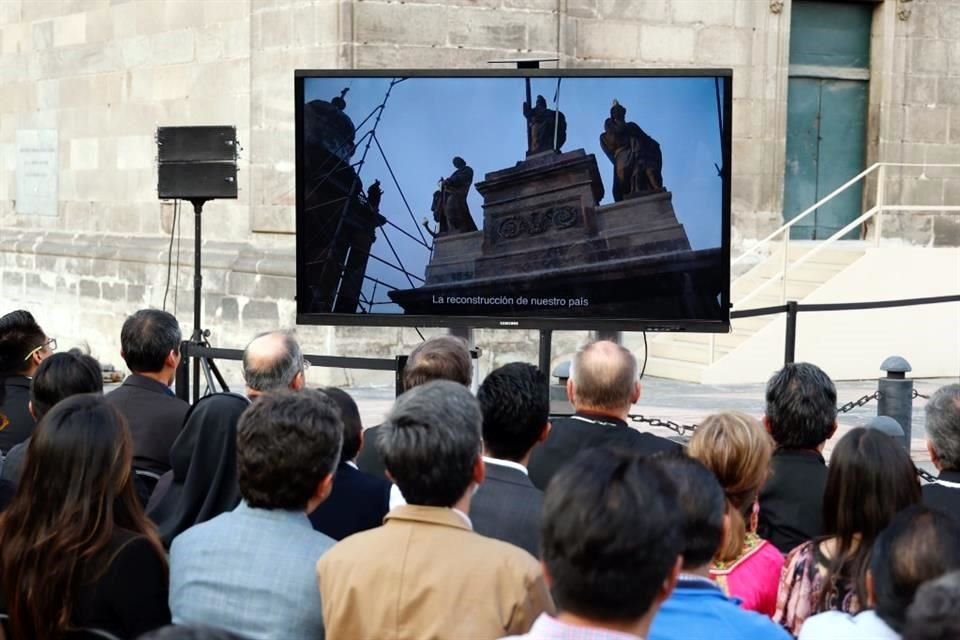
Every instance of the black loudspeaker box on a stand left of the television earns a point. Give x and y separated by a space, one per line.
197 162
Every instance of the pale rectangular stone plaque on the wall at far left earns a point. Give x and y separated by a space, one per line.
38 169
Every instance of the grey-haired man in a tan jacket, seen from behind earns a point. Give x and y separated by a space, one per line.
425 573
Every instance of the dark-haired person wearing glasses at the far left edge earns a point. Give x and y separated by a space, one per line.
23 346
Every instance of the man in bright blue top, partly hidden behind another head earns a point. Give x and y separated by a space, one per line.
698 608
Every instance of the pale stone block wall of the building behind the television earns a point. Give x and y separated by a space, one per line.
105 73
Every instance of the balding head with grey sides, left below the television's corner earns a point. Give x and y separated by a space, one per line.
273 361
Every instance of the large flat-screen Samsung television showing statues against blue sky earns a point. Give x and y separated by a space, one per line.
552 199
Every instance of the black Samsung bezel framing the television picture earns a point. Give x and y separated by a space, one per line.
522 322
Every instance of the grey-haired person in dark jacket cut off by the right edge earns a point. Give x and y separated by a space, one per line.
943 442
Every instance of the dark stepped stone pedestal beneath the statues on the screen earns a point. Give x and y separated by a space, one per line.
544 235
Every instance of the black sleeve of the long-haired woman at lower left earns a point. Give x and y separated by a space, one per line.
139 581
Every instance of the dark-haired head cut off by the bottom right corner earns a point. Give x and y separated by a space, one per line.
933 614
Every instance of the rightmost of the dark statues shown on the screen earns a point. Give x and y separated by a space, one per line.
637 161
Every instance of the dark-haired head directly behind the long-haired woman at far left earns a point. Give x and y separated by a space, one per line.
63 375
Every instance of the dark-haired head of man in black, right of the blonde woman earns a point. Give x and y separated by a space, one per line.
801 406
